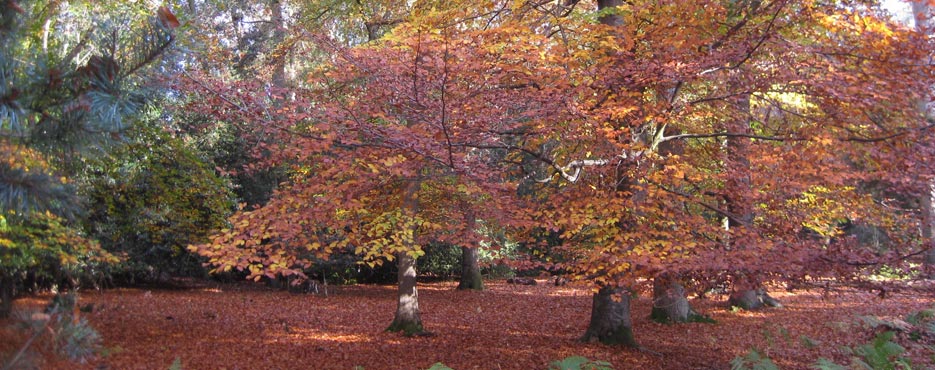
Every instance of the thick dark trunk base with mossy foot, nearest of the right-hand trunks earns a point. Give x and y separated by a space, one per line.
610 319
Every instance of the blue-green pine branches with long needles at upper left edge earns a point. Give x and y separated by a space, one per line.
58 97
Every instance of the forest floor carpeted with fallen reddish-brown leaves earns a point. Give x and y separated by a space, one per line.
246 326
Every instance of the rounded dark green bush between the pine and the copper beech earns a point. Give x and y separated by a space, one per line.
151 198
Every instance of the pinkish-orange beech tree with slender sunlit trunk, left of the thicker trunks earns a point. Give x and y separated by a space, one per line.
395 145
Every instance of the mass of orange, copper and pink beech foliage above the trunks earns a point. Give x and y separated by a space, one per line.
637 143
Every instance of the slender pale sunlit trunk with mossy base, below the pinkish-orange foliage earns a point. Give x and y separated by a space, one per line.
407 319
